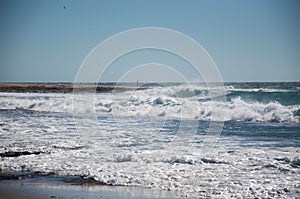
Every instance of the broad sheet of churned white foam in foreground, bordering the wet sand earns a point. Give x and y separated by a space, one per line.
120 157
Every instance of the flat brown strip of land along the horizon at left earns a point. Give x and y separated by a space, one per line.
62 88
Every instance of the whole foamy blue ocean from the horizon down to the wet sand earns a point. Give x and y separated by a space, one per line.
158 138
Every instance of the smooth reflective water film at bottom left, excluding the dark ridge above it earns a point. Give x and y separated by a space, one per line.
56 187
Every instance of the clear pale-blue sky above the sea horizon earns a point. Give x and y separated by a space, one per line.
47 41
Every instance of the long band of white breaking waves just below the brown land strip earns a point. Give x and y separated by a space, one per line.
170 102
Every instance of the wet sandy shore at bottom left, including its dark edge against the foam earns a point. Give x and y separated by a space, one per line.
30 185
